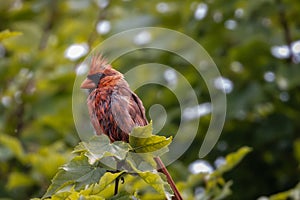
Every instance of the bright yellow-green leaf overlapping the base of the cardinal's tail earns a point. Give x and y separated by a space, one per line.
142 140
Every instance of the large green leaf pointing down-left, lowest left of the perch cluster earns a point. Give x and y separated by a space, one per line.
77 172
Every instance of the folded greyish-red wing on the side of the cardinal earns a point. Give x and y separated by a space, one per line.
127 109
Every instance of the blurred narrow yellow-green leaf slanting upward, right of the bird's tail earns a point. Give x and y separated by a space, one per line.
232 160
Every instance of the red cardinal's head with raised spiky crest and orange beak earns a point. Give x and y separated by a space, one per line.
99 69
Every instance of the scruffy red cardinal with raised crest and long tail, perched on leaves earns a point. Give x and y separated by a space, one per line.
114 109
